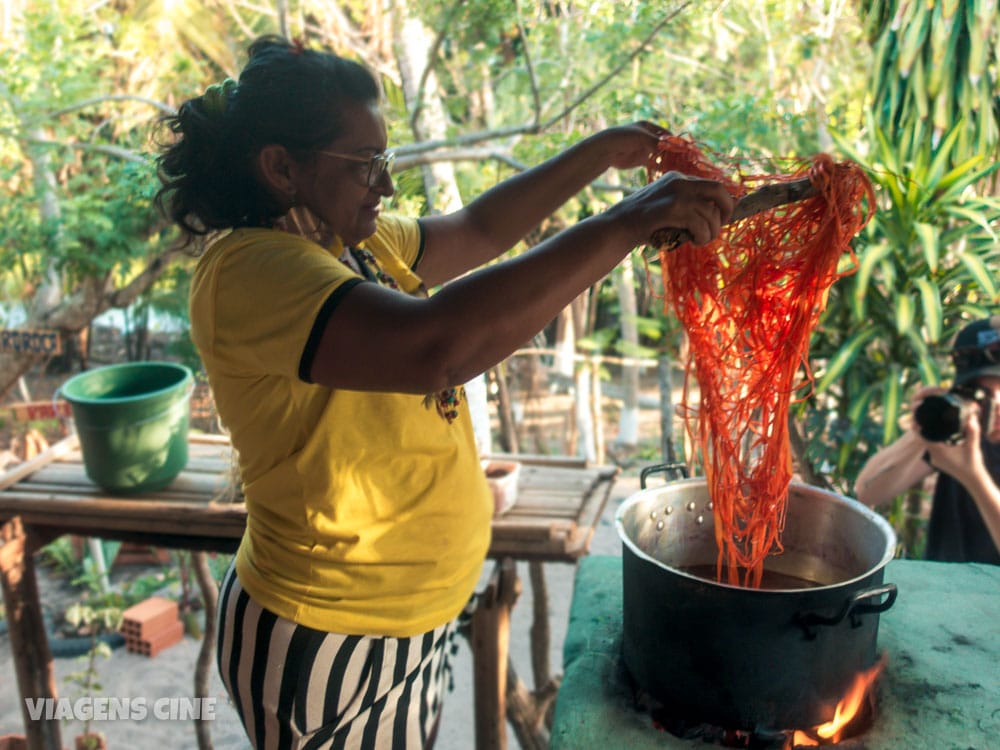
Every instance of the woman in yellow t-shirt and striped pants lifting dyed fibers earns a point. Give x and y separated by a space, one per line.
339 379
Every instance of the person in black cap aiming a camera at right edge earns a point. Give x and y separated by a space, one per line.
955 433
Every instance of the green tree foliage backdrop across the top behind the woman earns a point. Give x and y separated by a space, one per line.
764 81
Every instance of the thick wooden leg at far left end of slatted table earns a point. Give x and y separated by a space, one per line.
30 646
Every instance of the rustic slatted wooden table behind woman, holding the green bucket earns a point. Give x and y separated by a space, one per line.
558 505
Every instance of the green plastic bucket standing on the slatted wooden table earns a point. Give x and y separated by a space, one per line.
132 421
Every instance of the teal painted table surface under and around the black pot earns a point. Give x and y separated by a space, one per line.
940 690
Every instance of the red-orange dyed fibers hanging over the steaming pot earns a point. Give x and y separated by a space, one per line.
749 302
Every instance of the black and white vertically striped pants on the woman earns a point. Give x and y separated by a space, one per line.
296 688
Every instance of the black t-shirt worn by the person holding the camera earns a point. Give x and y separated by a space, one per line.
957 532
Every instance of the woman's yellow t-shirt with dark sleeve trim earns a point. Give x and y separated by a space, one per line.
368 513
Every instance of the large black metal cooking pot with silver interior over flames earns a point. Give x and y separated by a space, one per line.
751 659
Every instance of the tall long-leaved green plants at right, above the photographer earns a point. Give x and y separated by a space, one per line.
924 263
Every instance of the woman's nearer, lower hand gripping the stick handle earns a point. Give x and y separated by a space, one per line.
676 201
